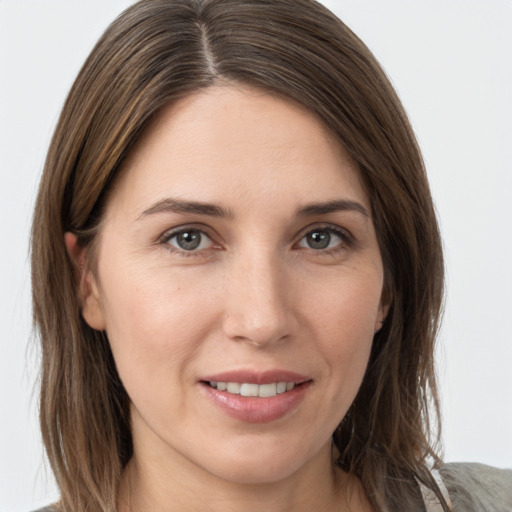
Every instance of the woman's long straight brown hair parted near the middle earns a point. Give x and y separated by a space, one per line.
155 53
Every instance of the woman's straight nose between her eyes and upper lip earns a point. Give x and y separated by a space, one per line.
257 309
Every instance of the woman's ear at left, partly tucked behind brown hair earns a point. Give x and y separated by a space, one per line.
92 308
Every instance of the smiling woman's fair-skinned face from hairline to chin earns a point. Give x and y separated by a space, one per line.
237 257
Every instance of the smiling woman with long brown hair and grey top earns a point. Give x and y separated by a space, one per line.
237 273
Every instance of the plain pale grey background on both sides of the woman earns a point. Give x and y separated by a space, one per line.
451 63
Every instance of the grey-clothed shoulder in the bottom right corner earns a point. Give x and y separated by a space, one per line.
477 487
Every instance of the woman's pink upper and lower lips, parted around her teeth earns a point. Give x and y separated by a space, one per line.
256 409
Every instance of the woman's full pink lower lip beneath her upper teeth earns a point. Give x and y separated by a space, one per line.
253 409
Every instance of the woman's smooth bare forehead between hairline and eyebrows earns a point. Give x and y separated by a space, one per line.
234 144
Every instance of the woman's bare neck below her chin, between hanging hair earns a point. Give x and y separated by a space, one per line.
146 486
